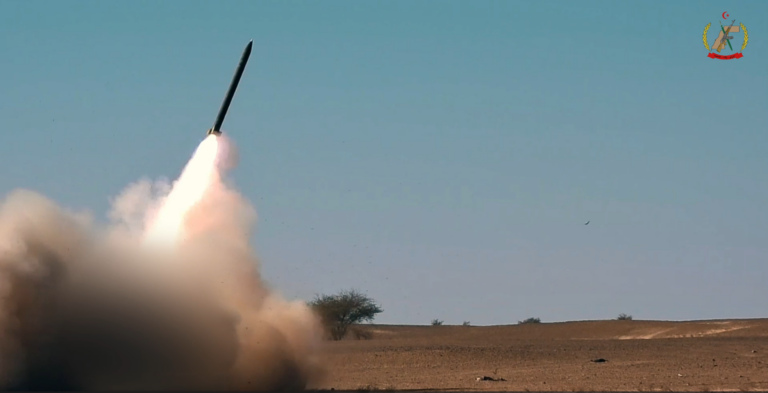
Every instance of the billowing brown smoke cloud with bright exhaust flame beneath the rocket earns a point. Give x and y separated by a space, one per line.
167 297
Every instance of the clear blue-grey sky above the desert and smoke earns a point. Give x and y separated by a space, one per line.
441 155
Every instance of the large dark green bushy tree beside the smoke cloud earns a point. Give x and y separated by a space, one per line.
343 309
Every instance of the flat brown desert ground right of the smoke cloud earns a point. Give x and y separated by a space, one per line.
723 355
